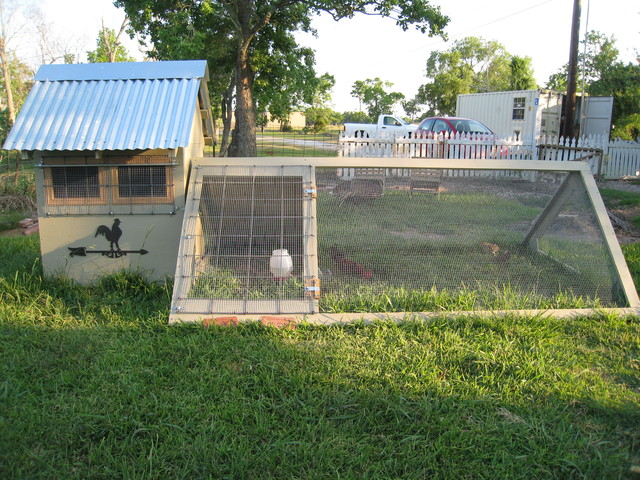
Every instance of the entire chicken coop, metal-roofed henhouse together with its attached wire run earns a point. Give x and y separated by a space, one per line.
123 184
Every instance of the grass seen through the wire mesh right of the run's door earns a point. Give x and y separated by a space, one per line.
427 255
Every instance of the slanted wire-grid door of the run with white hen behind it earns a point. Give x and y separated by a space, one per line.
248 243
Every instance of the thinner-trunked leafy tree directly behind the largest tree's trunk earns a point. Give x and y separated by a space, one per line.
188 30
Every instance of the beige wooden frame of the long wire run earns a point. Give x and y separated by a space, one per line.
579 175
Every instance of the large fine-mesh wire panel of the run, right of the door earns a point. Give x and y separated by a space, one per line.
411 240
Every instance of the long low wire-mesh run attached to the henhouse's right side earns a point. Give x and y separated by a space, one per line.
380 240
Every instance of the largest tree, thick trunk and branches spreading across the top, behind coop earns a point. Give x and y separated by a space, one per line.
238 25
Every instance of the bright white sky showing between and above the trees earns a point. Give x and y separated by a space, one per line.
369 47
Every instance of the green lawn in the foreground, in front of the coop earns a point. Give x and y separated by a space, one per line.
95 385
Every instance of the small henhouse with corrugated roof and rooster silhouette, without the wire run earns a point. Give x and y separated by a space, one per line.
112 145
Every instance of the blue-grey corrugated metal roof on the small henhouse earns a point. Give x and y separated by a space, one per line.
116 106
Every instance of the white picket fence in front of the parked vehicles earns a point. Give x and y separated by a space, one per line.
608 159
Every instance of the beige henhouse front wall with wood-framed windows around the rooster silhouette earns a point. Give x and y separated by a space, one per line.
70 218
